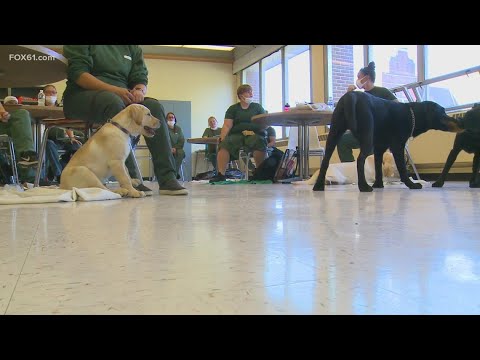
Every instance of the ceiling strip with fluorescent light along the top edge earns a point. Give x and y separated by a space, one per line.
233 55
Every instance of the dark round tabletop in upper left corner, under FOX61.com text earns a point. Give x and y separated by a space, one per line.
30 65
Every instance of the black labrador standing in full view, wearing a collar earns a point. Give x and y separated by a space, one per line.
380 124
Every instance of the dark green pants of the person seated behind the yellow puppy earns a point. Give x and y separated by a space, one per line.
100 106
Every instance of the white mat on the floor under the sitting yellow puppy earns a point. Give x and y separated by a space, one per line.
40 195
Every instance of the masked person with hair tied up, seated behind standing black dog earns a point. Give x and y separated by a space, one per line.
366 81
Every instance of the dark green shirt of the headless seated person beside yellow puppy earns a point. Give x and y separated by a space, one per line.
118 65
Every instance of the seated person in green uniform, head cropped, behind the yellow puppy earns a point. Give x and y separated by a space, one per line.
101 81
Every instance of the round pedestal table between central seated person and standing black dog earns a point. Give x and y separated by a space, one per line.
301 119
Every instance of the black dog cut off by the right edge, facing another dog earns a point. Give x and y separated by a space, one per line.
468 141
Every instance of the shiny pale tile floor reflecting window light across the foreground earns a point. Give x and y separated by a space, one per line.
246 249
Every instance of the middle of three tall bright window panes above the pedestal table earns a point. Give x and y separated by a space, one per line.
272 75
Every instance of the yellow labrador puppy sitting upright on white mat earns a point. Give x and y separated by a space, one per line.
104 154
